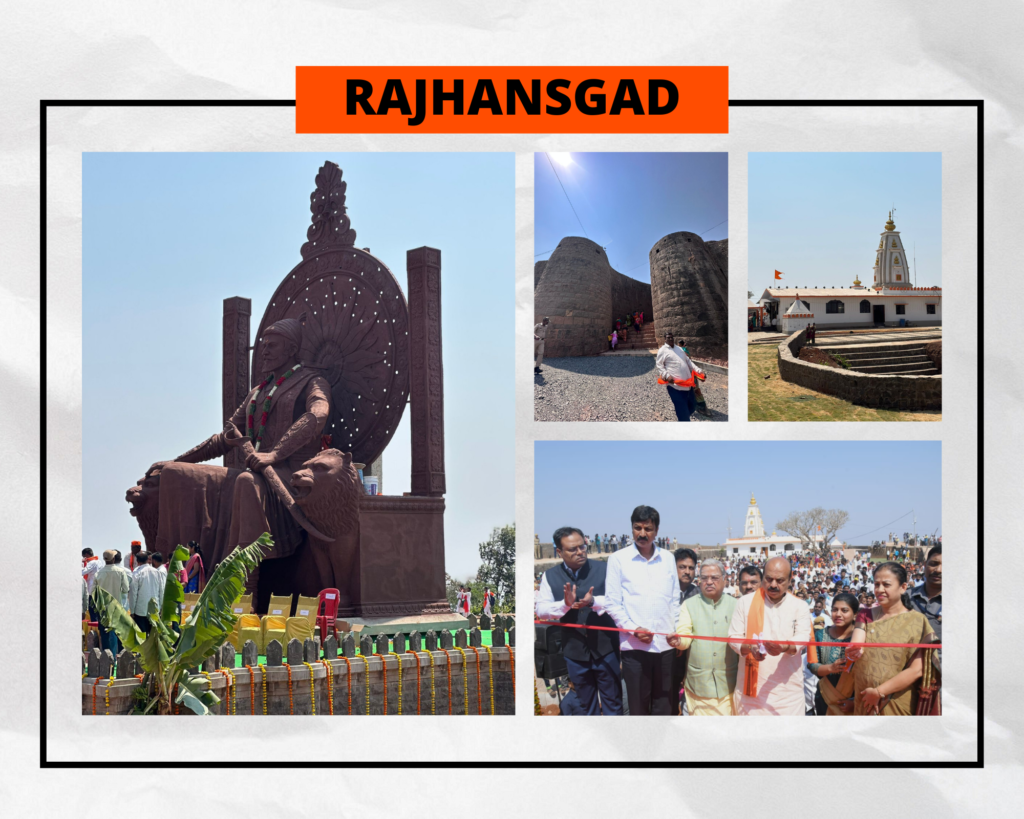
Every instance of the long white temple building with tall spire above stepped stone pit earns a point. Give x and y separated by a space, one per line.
890 300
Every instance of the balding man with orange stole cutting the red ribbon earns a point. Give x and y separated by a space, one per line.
772 671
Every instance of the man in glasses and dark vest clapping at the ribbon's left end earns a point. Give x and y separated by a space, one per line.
574 592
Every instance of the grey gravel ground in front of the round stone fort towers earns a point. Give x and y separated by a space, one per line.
616 389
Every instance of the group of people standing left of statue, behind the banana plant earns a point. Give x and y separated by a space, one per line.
134 587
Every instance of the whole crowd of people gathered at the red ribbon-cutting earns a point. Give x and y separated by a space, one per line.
761 620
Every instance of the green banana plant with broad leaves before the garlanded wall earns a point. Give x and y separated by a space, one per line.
168 656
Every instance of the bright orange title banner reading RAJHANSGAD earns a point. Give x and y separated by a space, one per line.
521 100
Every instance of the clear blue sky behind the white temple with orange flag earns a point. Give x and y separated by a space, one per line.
817 218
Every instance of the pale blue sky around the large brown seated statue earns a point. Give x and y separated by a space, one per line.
167 237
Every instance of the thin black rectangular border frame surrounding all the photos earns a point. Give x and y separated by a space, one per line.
979 105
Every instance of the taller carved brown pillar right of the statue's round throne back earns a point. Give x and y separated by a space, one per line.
426 395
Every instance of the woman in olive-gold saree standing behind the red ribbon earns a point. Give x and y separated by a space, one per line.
885 679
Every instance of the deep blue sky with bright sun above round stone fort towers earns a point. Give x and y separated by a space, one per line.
628 202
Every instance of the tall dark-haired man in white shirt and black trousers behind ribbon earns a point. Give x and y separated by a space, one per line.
643 597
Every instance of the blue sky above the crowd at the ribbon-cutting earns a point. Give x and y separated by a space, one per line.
700 488
